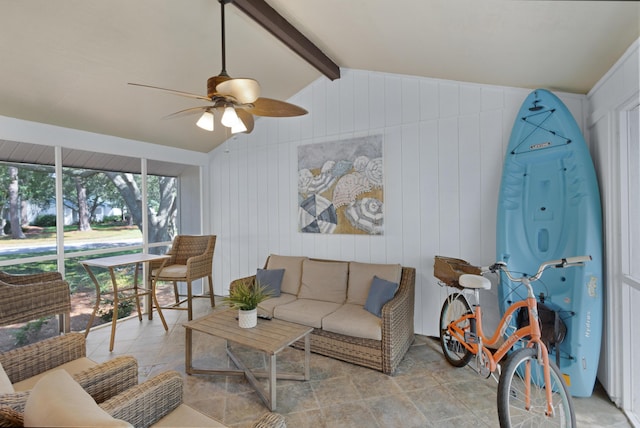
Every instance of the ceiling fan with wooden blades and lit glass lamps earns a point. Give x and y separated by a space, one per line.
233 100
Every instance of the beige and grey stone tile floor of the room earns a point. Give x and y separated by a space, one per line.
426 391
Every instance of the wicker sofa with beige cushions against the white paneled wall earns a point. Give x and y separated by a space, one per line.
329 296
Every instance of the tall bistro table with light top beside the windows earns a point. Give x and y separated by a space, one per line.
126 292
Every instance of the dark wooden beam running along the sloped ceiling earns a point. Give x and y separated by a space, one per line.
275 23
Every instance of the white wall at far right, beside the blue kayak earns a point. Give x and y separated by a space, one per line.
617 92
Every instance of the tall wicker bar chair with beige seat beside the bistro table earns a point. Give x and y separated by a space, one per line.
191 259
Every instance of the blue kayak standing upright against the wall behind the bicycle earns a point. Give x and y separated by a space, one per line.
549 208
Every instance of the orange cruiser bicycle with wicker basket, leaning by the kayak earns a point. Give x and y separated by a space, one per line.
465 337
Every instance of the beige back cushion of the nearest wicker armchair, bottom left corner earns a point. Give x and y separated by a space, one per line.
57 400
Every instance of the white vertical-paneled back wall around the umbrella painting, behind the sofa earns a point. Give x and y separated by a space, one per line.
443 148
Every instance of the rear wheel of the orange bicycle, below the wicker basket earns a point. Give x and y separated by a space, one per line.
454 307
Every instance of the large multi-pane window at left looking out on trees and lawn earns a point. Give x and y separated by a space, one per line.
110 205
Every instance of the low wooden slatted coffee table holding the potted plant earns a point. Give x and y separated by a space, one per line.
269 336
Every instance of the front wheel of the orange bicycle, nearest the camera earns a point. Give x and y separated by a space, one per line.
522 399
